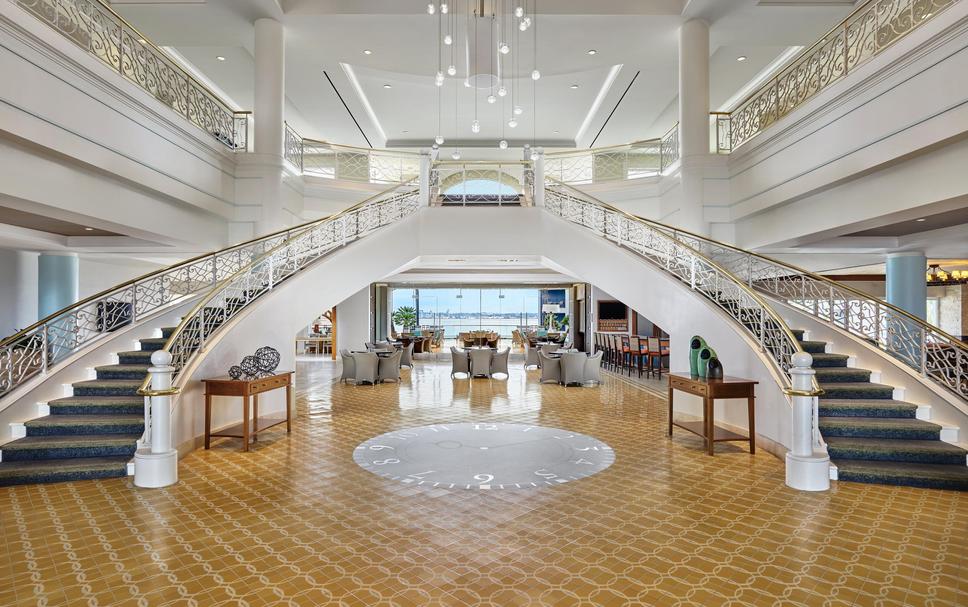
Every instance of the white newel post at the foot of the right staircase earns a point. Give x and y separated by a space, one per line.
805 469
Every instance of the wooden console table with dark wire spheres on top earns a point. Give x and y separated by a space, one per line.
246 388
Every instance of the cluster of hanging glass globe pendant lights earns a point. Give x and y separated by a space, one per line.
480 36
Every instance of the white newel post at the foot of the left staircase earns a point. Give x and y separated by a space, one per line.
157 465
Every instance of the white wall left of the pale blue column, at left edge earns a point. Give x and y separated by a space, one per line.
18 290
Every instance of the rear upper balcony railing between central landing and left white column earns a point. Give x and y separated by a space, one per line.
332 161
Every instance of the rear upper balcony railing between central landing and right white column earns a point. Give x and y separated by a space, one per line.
617 163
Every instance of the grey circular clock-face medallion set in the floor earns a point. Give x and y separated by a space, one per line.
484 456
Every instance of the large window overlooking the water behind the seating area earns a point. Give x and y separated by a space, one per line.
470 309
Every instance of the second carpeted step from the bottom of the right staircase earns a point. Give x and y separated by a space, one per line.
895 450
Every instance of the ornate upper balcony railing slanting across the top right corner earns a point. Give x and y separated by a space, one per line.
870 29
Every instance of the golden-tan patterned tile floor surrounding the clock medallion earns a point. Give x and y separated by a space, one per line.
296 522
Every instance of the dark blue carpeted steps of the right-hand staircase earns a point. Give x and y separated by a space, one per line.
873 438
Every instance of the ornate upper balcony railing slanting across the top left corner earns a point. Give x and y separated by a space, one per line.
95 27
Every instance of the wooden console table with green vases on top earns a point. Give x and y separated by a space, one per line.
710 390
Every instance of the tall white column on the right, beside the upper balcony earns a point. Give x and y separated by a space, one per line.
693 122
